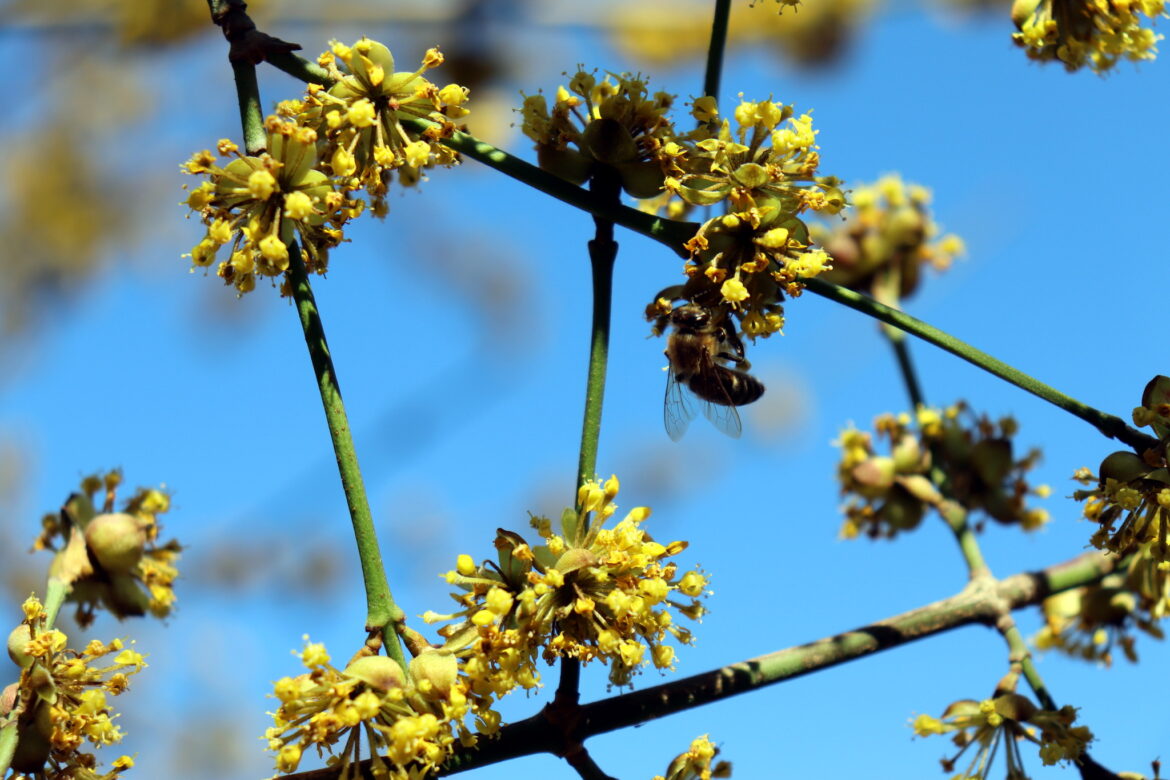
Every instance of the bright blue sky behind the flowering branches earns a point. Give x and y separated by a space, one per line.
466 406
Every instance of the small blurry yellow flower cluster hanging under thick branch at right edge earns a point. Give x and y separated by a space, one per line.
1090 623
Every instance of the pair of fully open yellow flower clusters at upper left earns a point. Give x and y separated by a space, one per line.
336 141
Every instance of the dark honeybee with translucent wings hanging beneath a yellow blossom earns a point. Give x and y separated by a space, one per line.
700 350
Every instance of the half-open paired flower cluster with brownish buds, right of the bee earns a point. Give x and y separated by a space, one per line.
892 493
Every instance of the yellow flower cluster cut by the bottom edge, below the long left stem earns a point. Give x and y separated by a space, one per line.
410 722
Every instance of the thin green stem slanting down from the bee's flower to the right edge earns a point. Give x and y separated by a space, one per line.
1107 424
